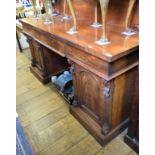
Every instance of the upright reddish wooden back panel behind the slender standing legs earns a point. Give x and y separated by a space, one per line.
117 11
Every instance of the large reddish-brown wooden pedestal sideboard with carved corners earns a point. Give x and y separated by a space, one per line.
103 76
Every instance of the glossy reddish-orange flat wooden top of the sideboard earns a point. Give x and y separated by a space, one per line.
85 38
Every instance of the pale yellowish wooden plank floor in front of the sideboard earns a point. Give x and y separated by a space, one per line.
47 123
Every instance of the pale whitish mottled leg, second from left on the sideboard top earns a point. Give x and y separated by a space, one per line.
48 10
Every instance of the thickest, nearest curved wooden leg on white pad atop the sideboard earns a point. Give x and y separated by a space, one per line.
104 9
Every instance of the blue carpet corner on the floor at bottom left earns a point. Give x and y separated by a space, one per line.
22 145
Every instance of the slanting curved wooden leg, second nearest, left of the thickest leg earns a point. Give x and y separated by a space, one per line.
73 30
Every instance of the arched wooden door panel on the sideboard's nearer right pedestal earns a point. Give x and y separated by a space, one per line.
89 93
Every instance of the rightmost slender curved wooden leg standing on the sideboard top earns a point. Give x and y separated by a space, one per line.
128 30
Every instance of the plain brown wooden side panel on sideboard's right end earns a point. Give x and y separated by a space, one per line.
122 96
